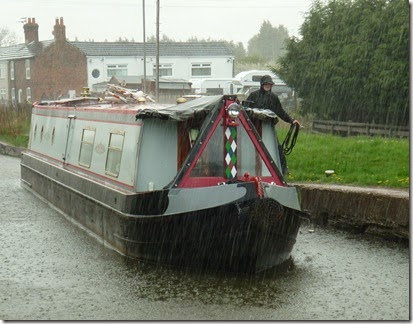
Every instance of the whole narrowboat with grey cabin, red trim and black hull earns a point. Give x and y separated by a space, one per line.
194 185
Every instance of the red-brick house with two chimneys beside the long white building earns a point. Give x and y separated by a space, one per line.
41 70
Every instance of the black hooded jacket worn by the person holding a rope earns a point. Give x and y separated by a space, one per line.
268 100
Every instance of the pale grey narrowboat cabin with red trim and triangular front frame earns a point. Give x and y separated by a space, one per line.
148 147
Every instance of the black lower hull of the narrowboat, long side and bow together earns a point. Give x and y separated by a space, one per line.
249 237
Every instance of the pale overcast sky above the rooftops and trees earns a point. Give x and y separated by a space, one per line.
100 20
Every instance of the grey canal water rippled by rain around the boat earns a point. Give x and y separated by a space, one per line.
51 270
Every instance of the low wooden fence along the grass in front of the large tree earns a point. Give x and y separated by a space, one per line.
350 129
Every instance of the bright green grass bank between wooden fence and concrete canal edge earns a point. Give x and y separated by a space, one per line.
360 160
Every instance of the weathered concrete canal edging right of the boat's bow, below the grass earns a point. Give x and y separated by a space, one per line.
378 211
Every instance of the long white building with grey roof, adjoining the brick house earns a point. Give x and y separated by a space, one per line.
177 60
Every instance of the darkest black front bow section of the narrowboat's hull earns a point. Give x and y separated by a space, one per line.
224 238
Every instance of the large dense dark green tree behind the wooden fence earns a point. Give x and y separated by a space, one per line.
352 62
